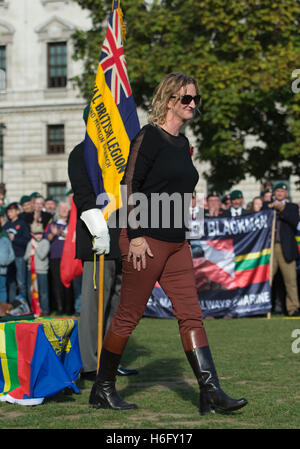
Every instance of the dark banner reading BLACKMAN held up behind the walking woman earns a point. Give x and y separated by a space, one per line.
232 267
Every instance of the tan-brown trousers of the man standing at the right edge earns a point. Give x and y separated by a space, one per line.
288 271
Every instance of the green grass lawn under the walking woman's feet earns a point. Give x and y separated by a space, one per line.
253 357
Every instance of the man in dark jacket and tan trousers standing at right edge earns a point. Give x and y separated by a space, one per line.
285 248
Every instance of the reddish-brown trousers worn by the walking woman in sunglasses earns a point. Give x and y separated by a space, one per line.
172 267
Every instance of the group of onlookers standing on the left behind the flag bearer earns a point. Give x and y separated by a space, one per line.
32 239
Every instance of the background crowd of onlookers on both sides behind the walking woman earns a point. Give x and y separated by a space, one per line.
36 226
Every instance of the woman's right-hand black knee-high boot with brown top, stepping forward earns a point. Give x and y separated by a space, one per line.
212 397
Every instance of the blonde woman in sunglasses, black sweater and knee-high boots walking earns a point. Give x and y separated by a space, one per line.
160 163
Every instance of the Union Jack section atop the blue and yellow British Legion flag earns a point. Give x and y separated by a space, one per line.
112 58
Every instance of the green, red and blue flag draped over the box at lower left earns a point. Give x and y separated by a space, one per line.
38 359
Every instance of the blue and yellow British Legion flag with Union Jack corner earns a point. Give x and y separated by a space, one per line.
113 120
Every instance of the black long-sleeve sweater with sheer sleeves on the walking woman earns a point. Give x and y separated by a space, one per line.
160 167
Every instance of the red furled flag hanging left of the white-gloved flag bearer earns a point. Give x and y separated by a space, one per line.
70 268
